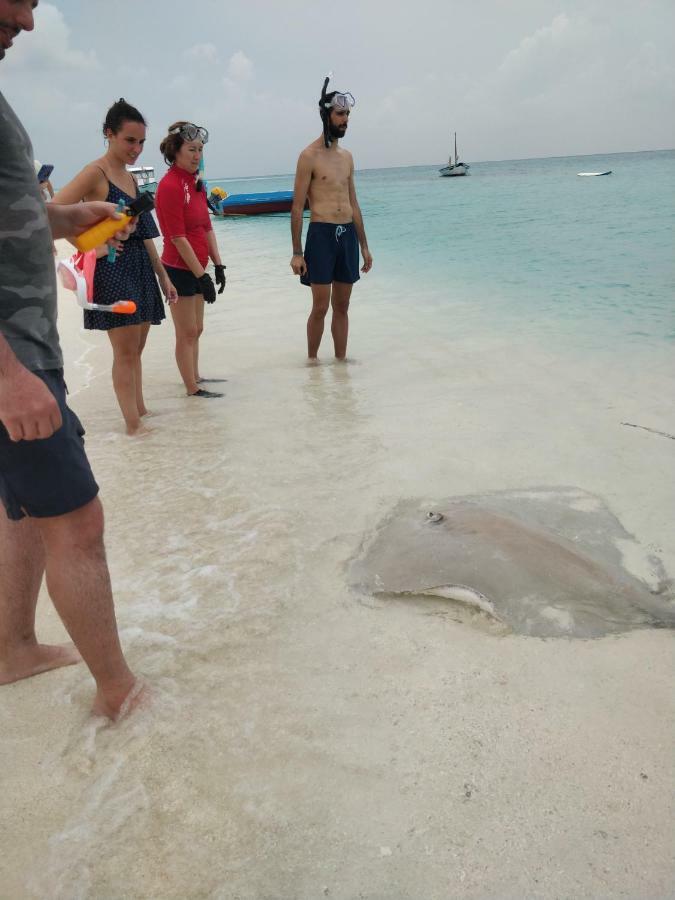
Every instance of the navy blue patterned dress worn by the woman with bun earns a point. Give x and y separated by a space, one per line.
130 277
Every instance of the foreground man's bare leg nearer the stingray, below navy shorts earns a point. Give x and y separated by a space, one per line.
78 581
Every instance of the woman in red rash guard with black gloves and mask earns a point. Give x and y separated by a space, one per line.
189 241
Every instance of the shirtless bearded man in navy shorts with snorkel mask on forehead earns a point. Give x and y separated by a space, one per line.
330 263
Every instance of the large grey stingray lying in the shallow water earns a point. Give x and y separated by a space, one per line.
548 562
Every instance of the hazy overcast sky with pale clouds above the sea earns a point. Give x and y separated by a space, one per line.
514 78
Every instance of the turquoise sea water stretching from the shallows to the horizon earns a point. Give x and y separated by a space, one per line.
523 245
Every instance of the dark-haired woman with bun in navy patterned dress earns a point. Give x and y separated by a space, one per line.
134 273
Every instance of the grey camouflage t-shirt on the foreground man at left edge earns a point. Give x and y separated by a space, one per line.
27 273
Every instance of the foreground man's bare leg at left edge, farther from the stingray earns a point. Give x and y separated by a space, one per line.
21 570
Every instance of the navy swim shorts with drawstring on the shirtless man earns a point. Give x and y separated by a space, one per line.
331 254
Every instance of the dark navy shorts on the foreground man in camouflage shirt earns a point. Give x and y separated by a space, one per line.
48 477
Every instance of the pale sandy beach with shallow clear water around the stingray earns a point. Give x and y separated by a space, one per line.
304 741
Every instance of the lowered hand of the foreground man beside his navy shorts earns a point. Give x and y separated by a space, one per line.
28 409
